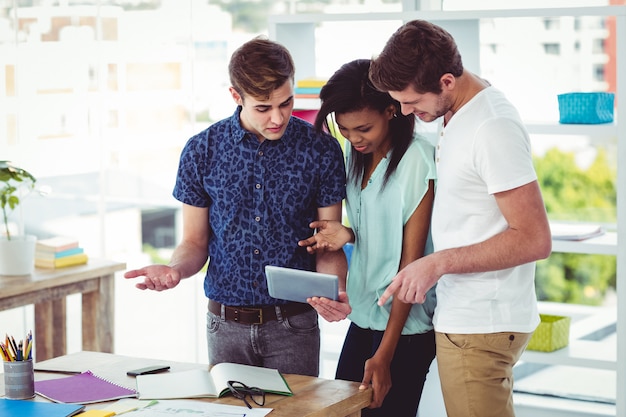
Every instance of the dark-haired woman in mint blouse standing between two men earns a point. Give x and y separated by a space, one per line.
390 190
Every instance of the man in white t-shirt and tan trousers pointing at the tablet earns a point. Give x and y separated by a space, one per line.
489 223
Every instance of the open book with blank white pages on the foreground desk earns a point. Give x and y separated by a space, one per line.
198 383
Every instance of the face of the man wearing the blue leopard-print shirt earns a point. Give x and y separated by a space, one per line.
266 119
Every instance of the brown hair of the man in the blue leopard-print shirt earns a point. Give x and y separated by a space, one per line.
260 66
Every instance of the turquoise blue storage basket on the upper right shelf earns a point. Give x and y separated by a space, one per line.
586 108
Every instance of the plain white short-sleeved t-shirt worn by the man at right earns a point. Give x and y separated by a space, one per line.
484 149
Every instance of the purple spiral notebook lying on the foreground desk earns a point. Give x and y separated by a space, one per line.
82 388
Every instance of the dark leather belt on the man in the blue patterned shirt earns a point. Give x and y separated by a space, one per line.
257 315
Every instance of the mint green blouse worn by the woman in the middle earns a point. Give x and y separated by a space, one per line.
377 217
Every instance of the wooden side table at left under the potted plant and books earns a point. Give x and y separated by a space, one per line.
47 290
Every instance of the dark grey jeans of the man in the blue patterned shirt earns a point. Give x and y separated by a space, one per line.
291 345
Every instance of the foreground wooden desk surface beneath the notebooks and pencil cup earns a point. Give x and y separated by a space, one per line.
313 397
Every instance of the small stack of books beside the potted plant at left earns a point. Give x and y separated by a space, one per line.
59 251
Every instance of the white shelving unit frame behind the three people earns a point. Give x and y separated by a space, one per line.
297 32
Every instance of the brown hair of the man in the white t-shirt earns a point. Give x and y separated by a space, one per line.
418 54
